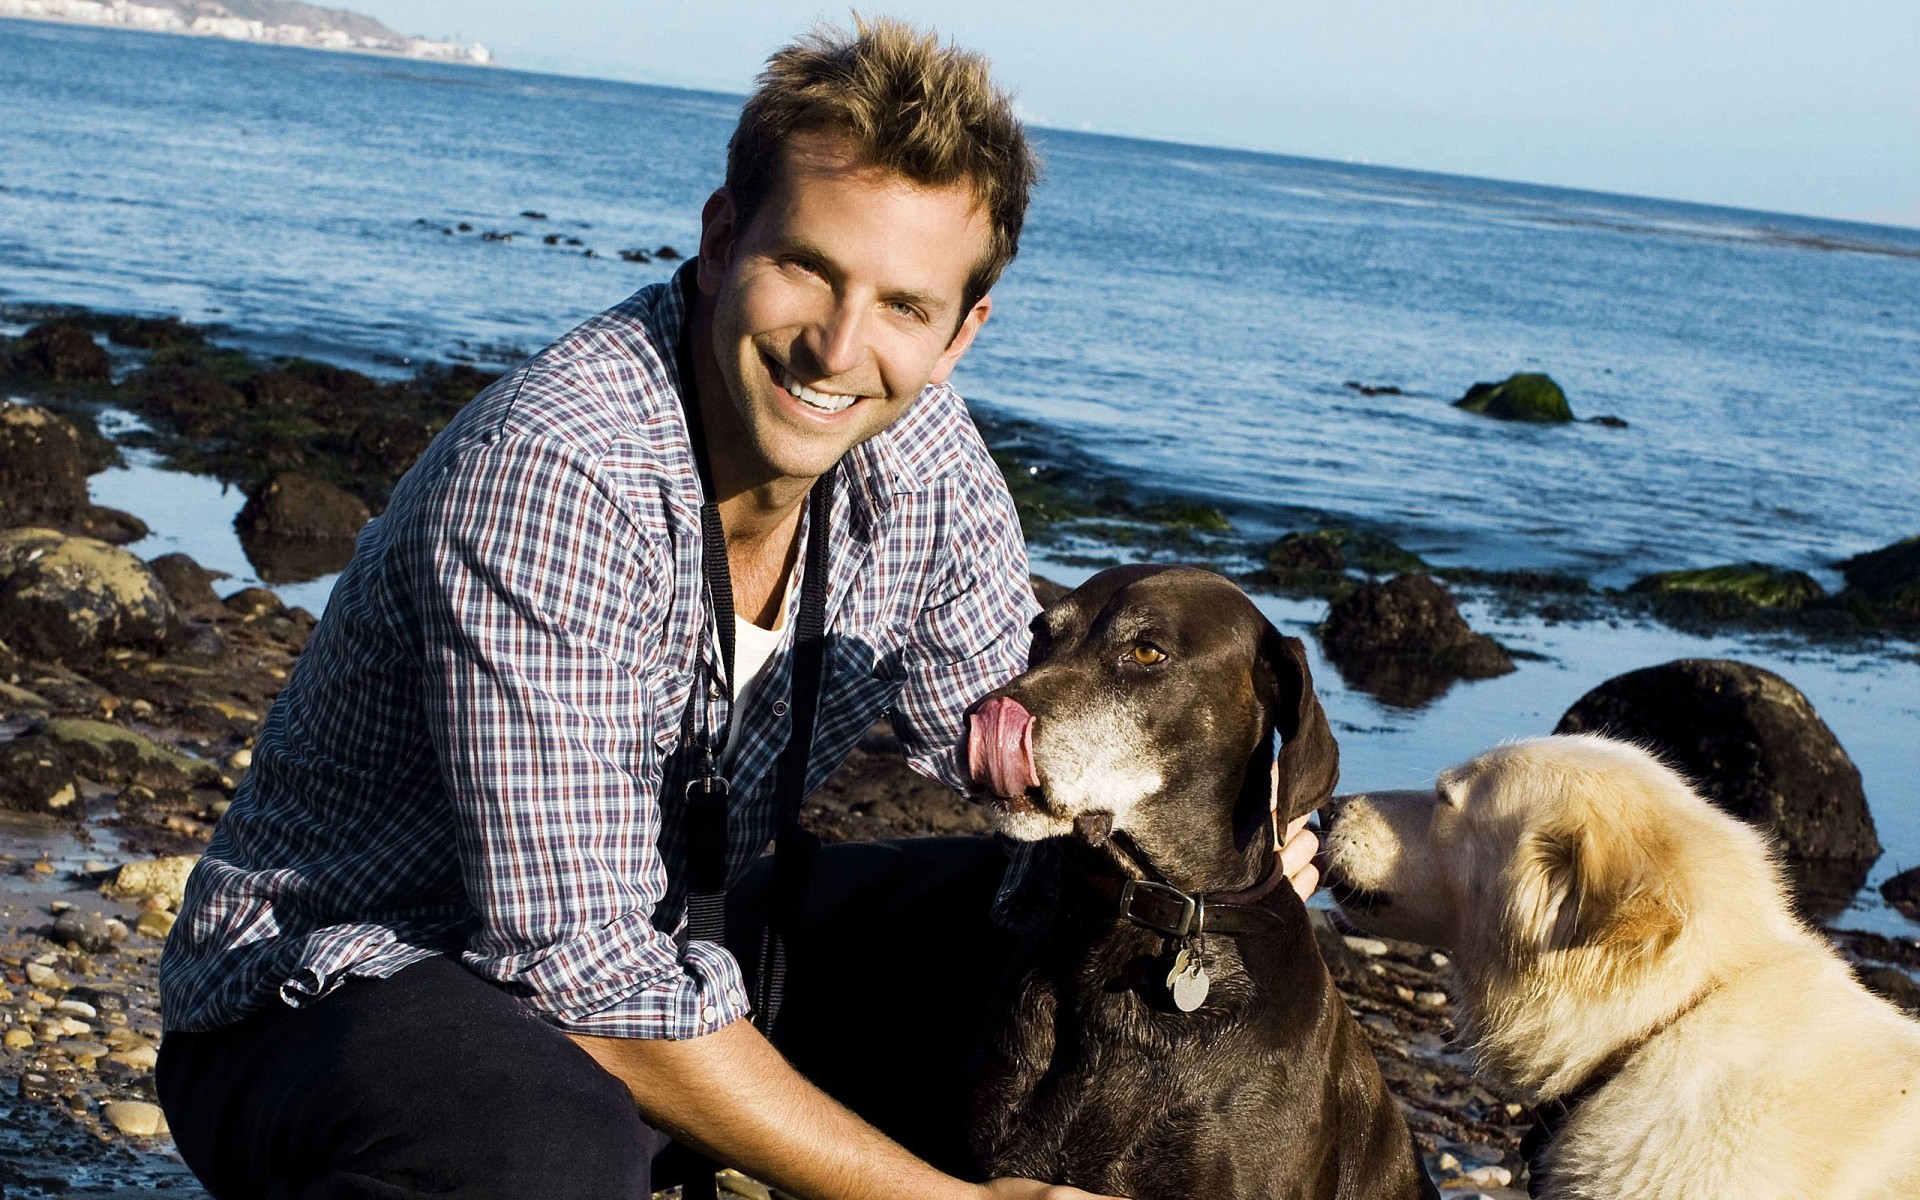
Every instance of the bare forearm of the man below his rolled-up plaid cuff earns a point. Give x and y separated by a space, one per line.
734 1097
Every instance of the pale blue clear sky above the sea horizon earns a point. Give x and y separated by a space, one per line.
1764 105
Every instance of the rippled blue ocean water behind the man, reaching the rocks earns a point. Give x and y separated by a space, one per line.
1186 316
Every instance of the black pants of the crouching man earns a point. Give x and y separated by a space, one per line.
435 1082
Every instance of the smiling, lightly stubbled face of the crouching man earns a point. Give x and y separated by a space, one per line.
832 308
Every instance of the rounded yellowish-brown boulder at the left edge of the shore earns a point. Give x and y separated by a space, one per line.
74 598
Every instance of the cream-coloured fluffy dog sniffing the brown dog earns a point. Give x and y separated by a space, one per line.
1608 919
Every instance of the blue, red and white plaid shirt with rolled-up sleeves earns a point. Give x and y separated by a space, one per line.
475 754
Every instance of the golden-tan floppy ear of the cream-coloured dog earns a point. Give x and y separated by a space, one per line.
1573 888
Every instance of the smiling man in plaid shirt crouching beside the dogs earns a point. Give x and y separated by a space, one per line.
441 944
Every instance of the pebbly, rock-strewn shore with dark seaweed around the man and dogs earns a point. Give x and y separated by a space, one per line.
132 694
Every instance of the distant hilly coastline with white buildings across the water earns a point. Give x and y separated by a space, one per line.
274 22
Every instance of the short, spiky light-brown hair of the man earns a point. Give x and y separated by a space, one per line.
926 112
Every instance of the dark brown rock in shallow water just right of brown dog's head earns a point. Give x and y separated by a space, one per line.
1406 642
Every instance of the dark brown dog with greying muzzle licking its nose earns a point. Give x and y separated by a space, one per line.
1172 1030
